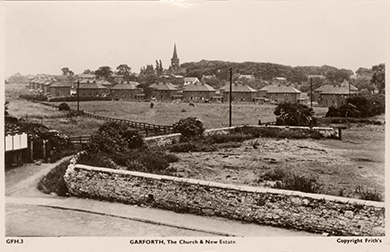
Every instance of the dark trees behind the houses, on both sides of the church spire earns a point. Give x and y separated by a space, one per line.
367 80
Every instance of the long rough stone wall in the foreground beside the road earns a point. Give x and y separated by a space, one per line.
289 209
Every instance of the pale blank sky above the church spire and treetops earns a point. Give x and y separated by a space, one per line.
43 37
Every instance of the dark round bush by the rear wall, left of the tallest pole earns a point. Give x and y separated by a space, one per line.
189 128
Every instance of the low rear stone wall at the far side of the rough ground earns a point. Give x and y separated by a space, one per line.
171 138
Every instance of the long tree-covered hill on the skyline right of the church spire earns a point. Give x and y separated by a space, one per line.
265 71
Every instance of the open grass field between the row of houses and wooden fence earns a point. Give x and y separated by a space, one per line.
213 115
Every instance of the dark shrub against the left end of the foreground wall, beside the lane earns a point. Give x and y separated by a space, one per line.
54 180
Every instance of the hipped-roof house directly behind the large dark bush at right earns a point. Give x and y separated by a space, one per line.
280 93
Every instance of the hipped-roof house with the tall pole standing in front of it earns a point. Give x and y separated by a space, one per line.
240 93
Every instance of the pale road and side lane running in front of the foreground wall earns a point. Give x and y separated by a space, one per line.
24 203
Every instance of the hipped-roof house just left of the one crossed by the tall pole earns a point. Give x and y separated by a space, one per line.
198 92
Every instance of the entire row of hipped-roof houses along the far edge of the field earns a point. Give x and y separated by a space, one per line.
192 90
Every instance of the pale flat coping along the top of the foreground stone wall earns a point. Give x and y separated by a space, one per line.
234 187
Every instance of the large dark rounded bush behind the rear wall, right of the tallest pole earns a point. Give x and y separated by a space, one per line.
294 114
